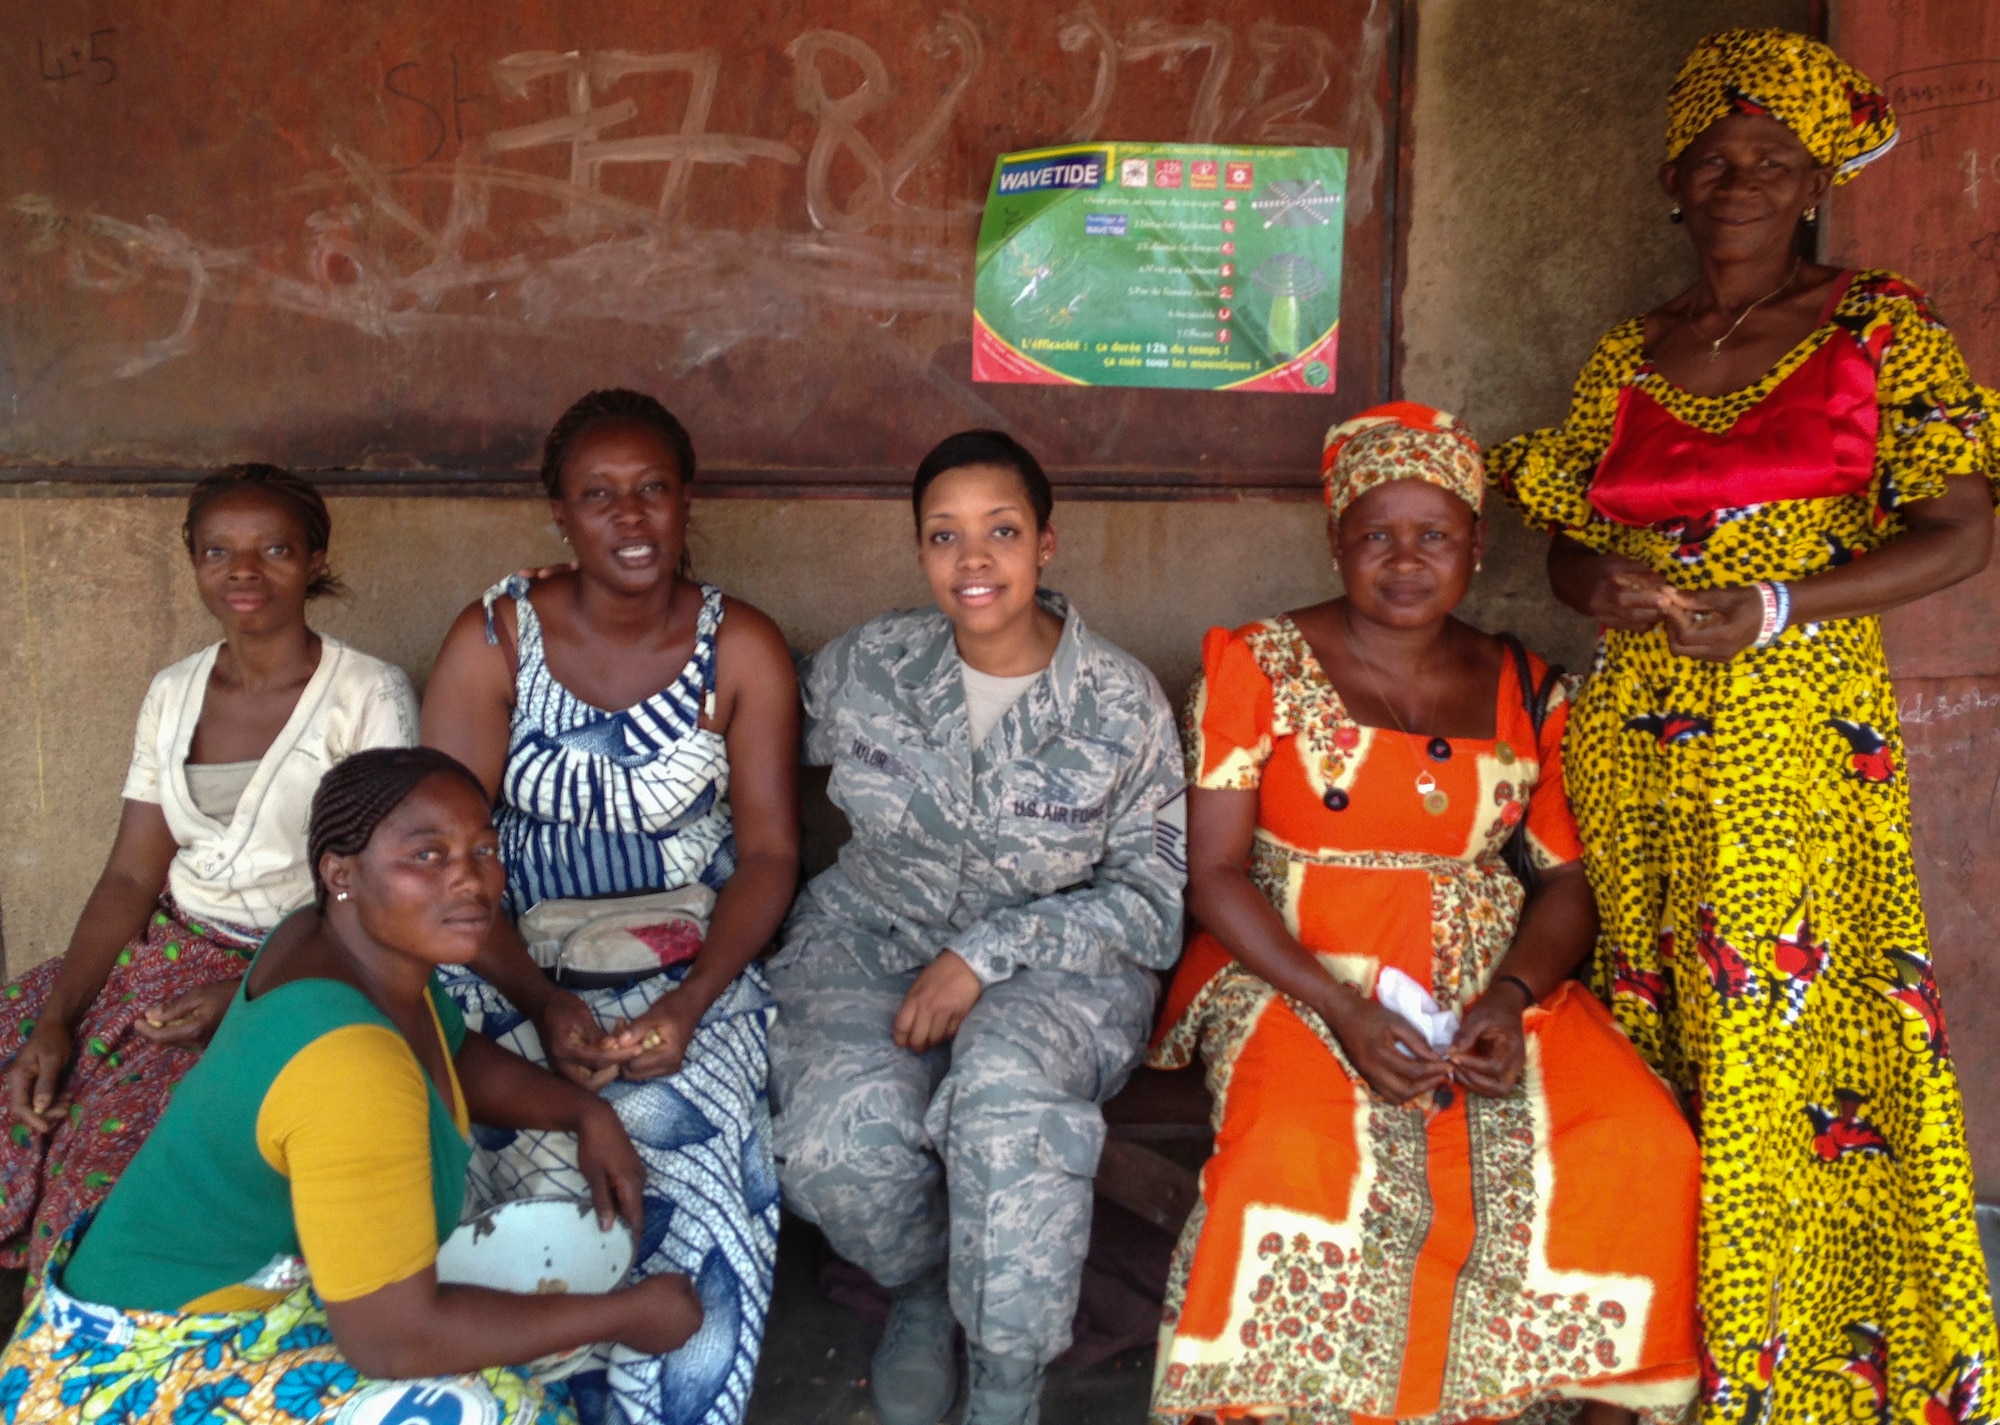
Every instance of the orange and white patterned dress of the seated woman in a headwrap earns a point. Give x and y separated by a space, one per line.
1451 1260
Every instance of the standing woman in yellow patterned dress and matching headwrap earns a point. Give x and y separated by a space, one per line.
1747 477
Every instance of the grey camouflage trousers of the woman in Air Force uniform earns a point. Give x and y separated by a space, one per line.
975 1156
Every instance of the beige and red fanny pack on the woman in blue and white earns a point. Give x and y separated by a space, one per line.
615 944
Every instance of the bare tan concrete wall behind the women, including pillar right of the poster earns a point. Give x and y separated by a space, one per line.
1535 227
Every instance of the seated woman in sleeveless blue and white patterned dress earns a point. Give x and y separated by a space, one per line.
689 784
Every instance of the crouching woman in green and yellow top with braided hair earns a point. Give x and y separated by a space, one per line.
273 1246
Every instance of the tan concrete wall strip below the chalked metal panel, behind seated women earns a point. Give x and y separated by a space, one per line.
99 597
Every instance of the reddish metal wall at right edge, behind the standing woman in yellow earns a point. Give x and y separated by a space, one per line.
1931 209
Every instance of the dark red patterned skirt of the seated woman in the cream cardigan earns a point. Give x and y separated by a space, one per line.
117 1084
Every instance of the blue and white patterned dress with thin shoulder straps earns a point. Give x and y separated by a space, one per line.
603 804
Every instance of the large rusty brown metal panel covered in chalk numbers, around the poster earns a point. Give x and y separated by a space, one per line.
403 237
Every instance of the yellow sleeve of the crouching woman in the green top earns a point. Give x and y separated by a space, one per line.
349 1124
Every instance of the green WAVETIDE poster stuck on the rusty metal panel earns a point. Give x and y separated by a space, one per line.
1163 265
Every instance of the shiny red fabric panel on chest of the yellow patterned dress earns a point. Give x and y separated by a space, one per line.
1811 439
